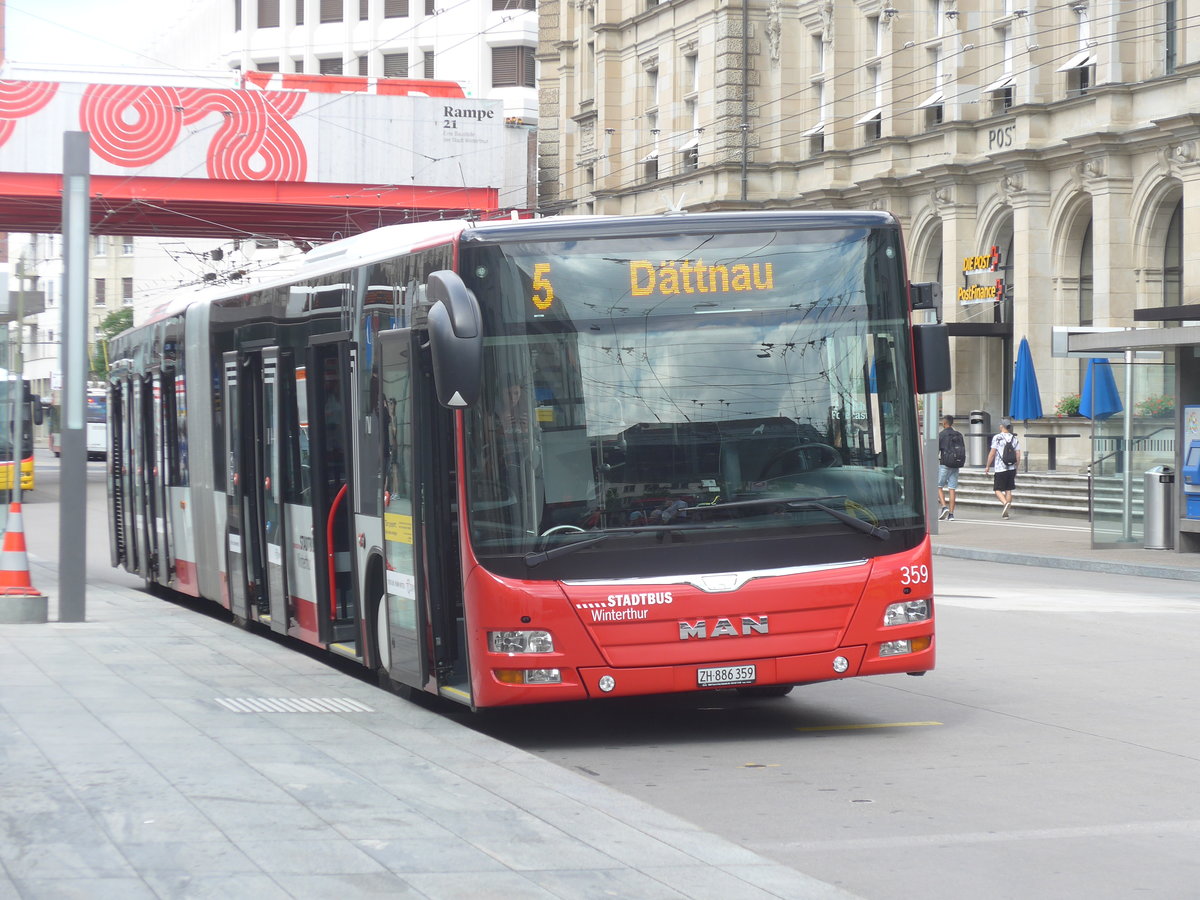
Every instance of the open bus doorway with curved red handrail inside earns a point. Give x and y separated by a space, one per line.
329 380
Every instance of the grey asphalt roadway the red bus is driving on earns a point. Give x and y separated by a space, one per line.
1054 753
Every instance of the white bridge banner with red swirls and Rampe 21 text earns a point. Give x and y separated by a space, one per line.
356 136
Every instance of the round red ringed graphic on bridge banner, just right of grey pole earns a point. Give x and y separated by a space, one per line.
131 125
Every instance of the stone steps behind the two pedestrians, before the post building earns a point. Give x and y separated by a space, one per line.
1053 494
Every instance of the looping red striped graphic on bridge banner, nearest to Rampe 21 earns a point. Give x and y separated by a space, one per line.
255 142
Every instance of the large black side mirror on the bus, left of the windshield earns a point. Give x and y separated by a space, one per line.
457 340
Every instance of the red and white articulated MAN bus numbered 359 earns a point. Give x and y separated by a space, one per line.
523 463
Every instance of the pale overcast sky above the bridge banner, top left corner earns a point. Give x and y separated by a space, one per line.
97 33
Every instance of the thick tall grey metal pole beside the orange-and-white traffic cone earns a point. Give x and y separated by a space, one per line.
74 497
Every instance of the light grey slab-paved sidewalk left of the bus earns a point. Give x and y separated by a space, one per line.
157 753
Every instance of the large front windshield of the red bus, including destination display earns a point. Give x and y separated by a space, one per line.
717 394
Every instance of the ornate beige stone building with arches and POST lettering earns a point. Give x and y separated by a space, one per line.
1057 140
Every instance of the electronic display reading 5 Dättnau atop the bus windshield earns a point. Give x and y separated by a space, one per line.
827 274
